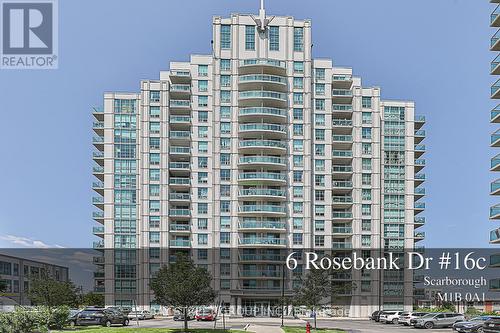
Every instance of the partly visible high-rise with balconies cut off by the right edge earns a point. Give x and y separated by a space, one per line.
495 139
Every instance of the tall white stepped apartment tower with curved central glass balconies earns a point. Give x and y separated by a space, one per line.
236 156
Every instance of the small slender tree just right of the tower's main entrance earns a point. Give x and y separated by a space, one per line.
314 289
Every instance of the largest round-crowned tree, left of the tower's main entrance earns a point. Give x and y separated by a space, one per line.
182 285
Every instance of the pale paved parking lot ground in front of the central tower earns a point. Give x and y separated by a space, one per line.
350 325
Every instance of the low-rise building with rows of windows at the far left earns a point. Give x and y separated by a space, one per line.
15 273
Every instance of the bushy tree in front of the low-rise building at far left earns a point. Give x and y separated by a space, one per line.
45 290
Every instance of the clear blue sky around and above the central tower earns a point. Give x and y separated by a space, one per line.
432 52
